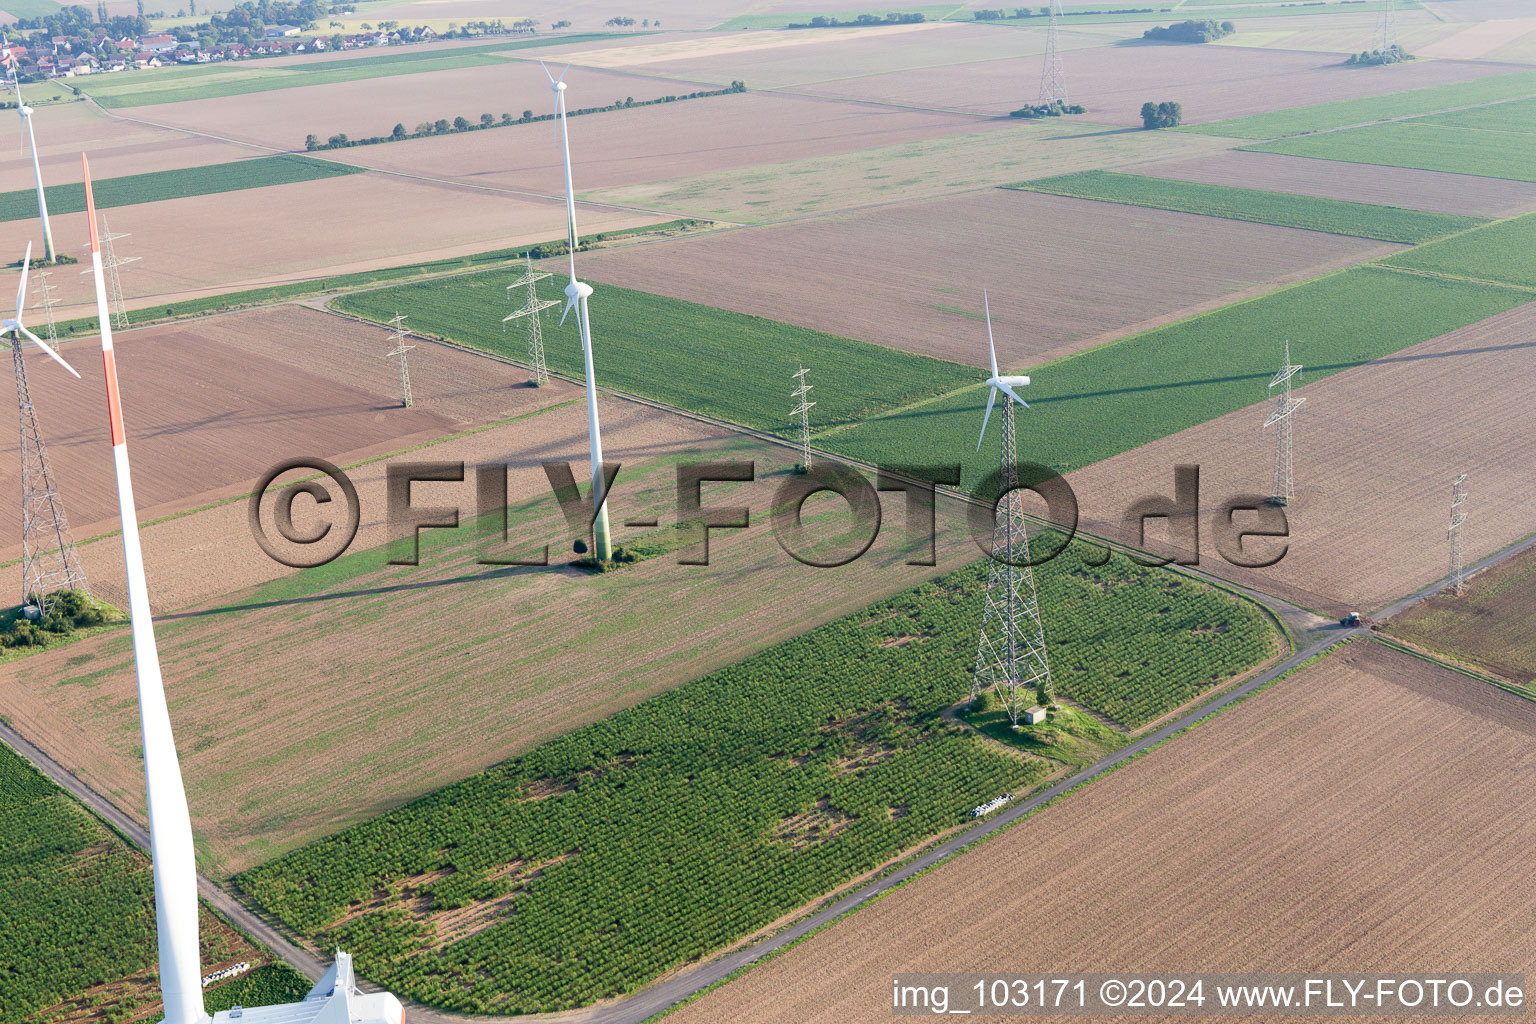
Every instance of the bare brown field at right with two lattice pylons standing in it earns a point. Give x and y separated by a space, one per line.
1377 451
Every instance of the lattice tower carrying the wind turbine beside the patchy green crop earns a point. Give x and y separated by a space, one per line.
1011 655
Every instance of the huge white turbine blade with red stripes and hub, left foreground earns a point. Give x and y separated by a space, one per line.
336 999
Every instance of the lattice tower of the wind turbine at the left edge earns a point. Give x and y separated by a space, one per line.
50 563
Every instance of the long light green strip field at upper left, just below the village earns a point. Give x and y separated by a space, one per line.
174 85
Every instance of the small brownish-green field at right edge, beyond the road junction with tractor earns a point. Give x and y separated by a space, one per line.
1489 626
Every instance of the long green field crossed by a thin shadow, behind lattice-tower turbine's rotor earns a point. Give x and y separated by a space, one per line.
1124 395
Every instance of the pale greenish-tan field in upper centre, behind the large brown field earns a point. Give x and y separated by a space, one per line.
1002 153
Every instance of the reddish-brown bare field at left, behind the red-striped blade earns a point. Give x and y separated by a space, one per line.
262 388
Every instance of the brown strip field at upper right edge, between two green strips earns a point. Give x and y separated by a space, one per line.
1432 191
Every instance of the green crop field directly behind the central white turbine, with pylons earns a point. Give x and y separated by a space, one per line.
694 357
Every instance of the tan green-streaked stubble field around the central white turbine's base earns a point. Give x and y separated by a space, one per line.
369 662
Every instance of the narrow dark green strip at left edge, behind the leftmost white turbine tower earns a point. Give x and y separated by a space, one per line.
173 185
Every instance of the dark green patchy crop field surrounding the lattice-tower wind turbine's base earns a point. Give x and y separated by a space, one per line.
627 848
